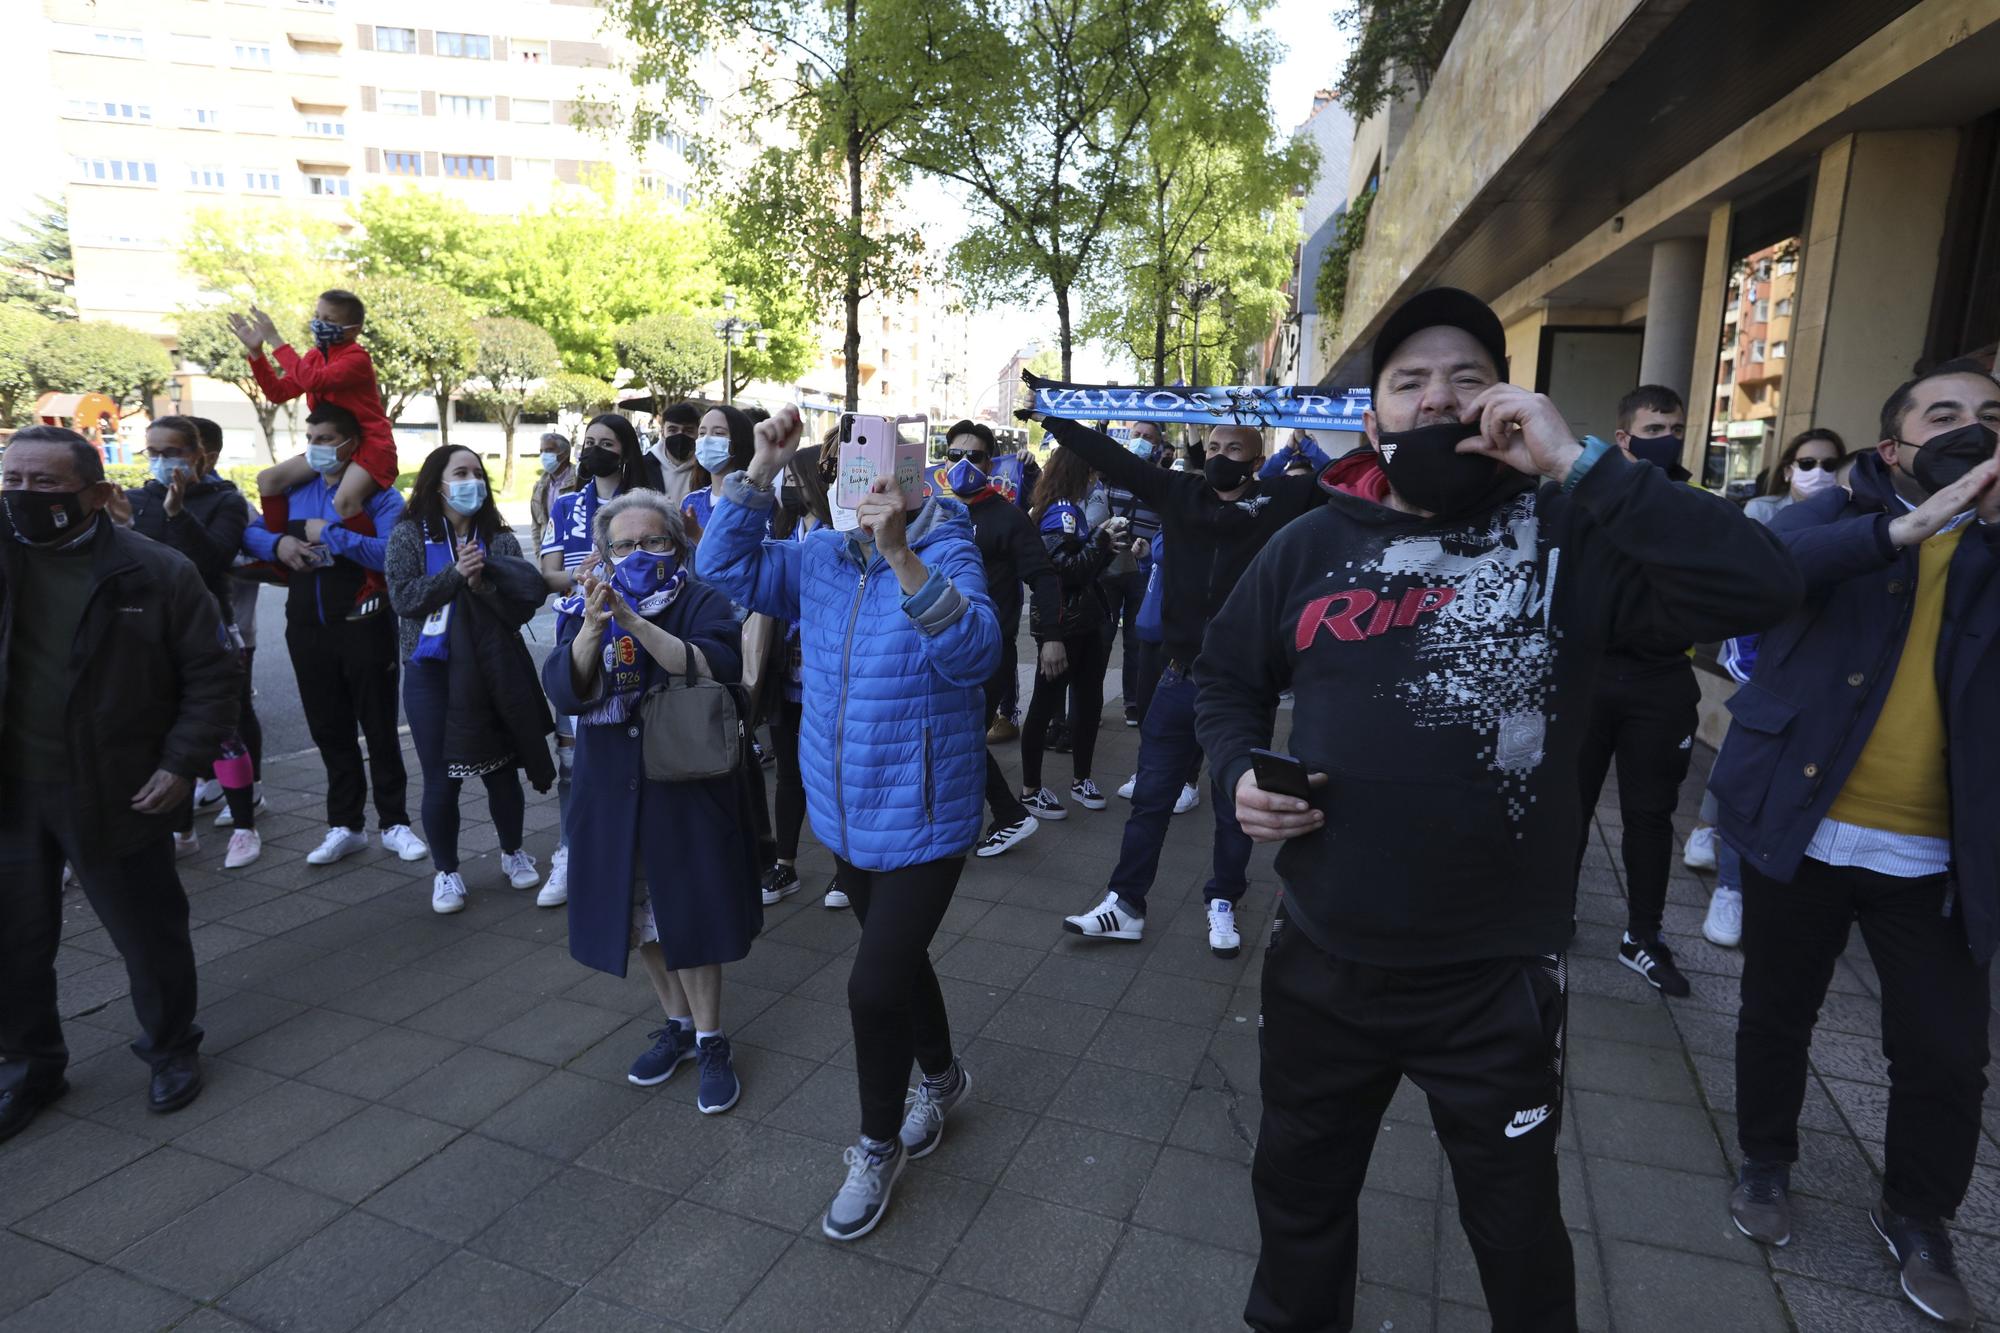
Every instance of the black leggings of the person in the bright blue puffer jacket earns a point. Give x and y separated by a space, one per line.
893 994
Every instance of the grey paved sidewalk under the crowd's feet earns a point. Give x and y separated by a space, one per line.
423 1124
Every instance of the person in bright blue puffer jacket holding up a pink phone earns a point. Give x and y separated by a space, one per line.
897 641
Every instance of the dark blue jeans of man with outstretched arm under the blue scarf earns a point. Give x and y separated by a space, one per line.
1167 752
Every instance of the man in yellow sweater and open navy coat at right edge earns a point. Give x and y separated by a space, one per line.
1859 786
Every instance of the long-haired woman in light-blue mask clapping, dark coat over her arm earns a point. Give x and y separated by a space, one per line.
463 589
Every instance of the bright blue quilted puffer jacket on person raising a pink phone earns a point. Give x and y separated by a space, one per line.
893 740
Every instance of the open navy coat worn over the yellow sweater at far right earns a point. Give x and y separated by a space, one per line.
1823 676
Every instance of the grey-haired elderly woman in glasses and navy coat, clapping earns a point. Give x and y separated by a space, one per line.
665 868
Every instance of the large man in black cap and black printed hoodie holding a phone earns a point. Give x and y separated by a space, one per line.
1439 623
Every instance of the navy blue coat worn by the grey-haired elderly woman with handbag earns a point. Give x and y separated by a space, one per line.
699 852
